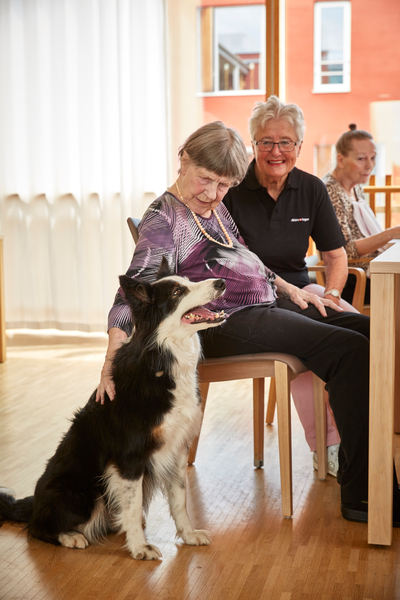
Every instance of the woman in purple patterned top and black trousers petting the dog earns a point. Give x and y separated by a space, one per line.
190 226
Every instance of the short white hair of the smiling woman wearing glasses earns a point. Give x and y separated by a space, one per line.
273 110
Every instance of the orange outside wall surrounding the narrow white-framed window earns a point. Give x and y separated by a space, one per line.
375 61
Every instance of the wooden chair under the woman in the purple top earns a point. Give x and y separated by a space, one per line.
284 368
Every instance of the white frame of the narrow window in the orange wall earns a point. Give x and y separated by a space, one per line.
345 86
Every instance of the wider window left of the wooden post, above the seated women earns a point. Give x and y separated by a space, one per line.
232 49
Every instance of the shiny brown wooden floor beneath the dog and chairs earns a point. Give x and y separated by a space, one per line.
255 554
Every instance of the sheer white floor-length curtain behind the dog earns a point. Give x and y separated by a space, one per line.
83 145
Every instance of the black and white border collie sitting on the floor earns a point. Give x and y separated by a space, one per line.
114 456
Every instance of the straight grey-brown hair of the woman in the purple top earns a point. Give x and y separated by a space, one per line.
218 149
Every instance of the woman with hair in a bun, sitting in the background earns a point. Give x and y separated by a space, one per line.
355 160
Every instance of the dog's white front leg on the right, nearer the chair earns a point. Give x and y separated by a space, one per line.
176 490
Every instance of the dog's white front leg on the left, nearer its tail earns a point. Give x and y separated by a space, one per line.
127 498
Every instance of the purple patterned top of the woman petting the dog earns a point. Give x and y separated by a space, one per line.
169 229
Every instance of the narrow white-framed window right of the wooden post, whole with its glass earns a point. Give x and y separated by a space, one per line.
332 30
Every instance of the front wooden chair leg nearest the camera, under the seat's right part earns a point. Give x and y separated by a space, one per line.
284 435
